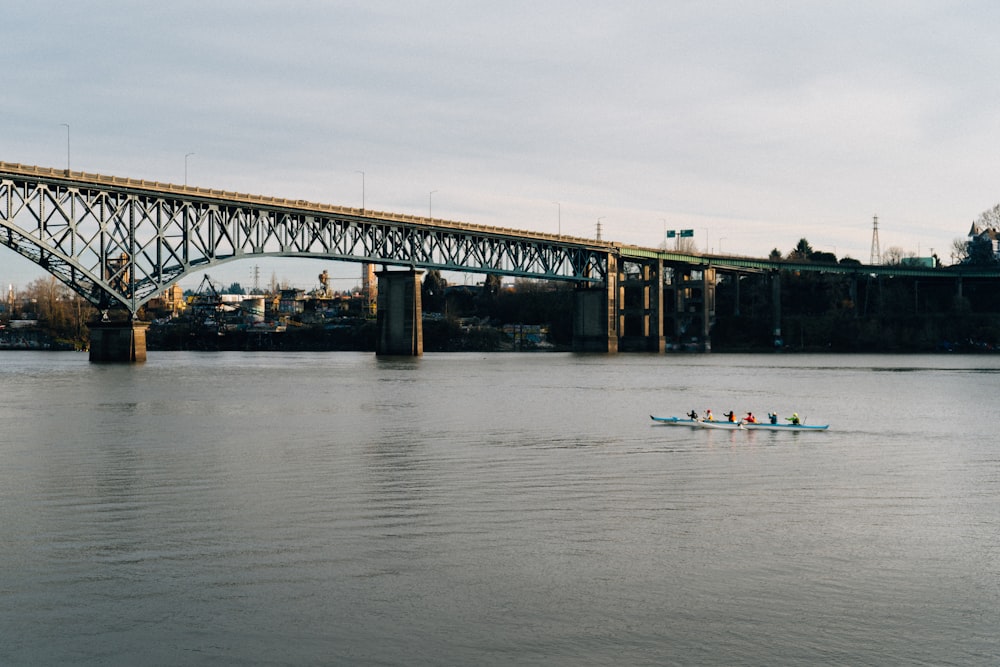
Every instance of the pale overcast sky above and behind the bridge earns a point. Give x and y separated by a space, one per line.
755 124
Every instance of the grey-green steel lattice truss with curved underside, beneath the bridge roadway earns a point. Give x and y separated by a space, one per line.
121 242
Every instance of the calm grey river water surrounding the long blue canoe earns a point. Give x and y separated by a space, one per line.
336 508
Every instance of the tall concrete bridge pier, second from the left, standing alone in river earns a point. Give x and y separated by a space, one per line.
399 317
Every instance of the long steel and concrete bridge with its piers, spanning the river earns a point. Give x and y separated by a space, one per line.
120 242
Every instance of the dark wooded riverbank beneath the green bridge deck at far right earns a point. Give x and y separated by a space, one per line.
838 313
